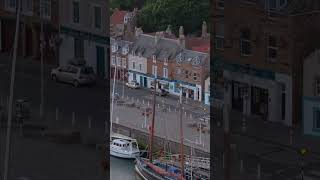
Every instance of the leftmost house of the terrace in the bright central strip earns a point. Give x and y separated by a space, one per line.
119 55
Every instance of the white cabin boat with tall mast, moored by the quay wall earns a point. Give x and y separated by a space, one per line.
121 146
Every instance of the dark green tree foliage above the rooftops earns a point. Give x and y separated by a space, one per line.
156 15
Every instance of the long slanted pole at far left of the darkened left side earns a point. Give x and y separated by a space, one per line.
13 71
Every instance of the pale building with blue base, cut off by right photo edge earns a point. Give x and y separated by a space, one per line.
311 94
